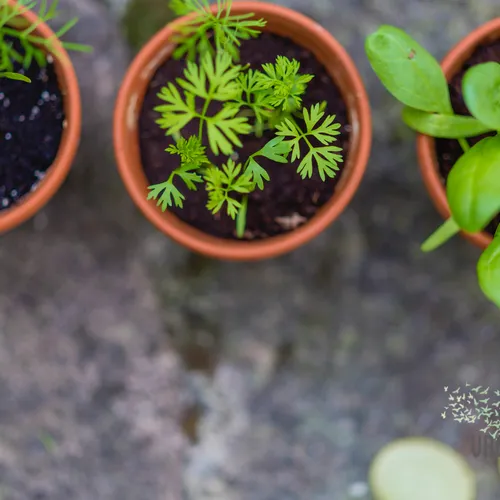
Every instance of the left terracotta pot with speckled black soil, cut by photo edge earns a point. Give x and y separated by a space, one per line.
32 202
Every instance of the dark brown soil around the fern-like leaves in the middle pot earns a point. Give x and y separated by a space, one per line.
287 201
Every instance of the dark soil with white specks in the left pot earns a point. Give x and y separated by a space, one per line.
31 125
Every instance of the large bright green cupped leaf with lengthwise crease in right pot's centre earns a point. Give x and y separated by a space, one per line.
473 187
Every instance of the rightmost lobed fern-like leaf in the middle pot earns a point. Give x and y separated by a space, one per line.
325 157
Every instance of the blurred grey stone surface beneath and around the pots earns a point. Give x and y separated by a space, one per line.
131 369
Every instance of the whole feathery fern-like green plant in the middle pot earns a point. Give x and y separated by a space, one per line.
248 101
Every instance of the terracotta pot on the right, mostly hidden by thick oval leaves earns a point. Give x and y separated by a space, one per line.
452 64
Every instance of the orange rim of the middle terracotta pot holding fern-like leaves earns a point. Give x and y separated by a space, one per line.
152 55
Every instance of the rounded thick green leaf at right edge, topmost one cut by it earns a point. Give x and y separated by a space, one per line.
481 89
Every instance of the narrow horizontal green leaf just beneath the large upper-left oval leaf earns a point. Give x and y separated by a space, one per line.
443 126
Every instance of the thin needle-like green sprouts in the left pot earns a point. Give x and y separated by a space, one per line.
33 46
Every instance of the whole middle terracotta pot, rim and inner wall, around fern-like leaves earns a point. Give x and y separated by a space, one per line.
303 31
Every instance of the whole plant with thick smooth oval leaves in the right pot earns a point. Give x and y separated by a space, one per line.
415 78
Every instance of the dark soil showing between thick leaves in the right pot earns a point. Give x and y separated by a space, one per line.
449 150
